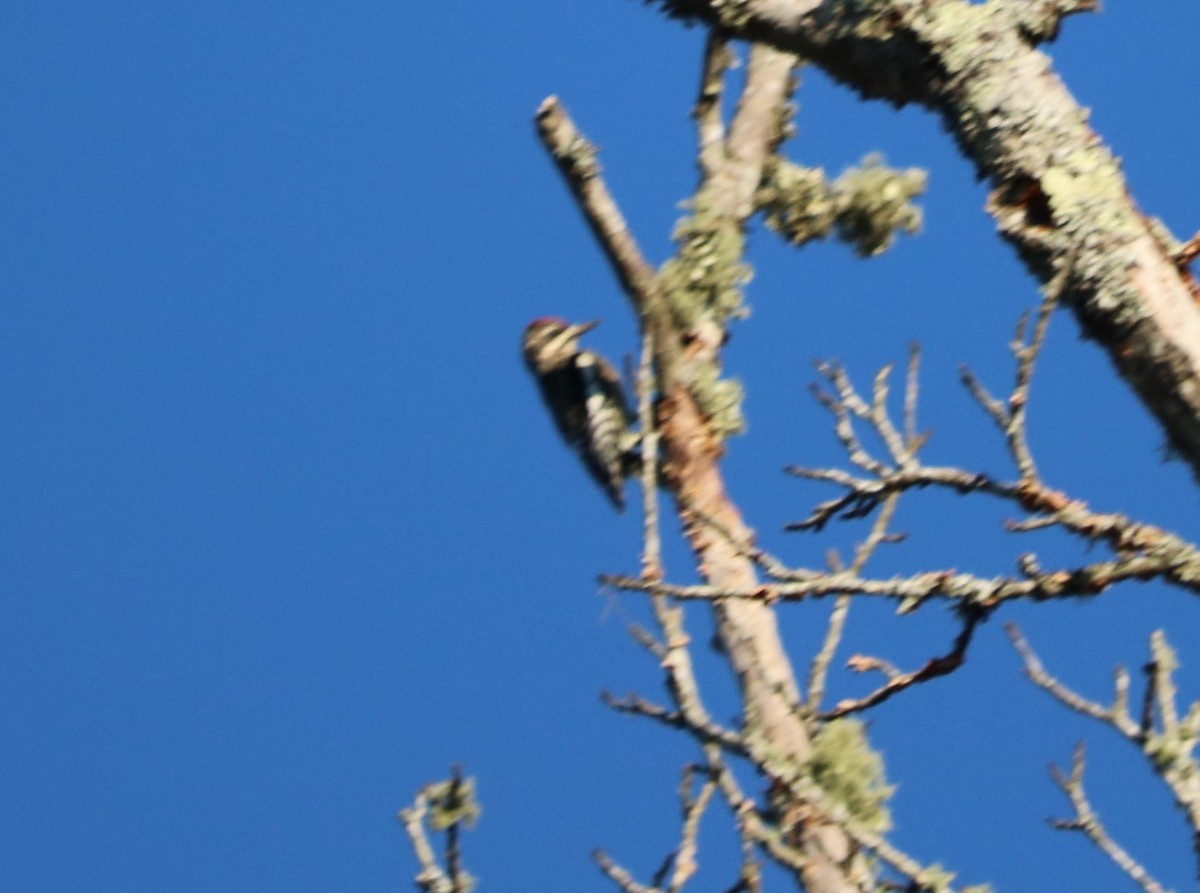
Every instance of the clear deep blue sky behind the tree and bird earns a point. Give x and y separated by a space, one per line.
285 532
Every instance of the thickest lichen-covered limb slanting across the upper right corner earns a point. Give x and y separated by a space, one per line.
1058 189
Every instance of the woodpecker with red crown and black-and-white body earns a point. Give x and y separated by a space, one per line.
584 393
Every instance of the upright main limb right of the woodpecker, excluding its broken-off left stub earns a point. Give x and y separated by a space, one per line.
751 639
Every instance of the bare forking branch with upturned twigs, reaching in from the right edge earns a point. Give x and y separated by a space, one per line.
1143 552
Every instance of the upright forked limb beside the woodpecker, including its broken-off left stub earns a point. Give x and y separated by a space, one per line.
685 310
